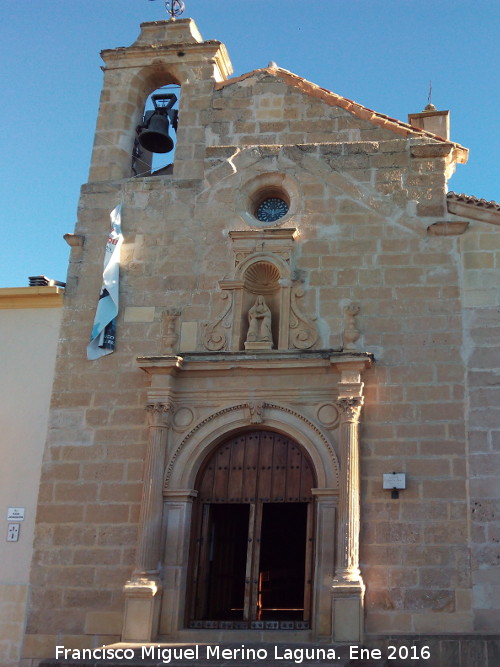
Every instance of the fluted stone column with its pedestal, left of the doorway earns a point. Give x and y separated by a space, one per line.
143 591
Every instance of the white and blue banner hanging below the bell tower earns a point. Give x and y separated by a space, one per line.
102 339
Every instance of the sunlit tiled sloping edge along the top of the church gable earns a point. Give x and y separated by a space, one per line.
386 122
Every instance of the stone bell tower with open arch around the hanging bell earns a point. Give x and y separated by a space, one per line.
166 52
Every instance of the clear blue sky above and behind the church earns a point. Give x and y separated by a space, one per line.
379 53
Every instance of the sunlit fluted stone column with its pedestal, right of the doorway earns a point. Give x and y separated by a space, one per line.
348 588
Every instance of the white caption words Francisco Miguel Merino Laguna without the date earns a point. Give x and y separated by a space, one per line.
197 652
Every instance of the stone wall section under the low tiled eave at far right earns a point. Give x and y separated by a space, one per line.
481 300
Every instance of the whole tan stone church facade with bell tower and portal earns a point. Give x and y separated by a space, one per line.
297 433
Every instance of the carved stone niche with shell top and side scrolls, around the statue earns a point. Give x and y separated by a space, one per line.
262 268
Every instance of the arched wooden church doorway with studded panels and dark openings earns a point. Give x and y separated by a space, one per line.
252 536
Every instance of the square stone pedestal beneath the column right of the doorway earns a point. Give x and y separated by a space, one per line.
348 611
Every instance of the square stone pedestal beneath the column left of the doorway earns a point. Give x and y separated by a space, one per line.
142 609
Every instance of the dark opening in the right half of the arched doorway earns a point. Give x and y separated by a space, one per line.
282 568
